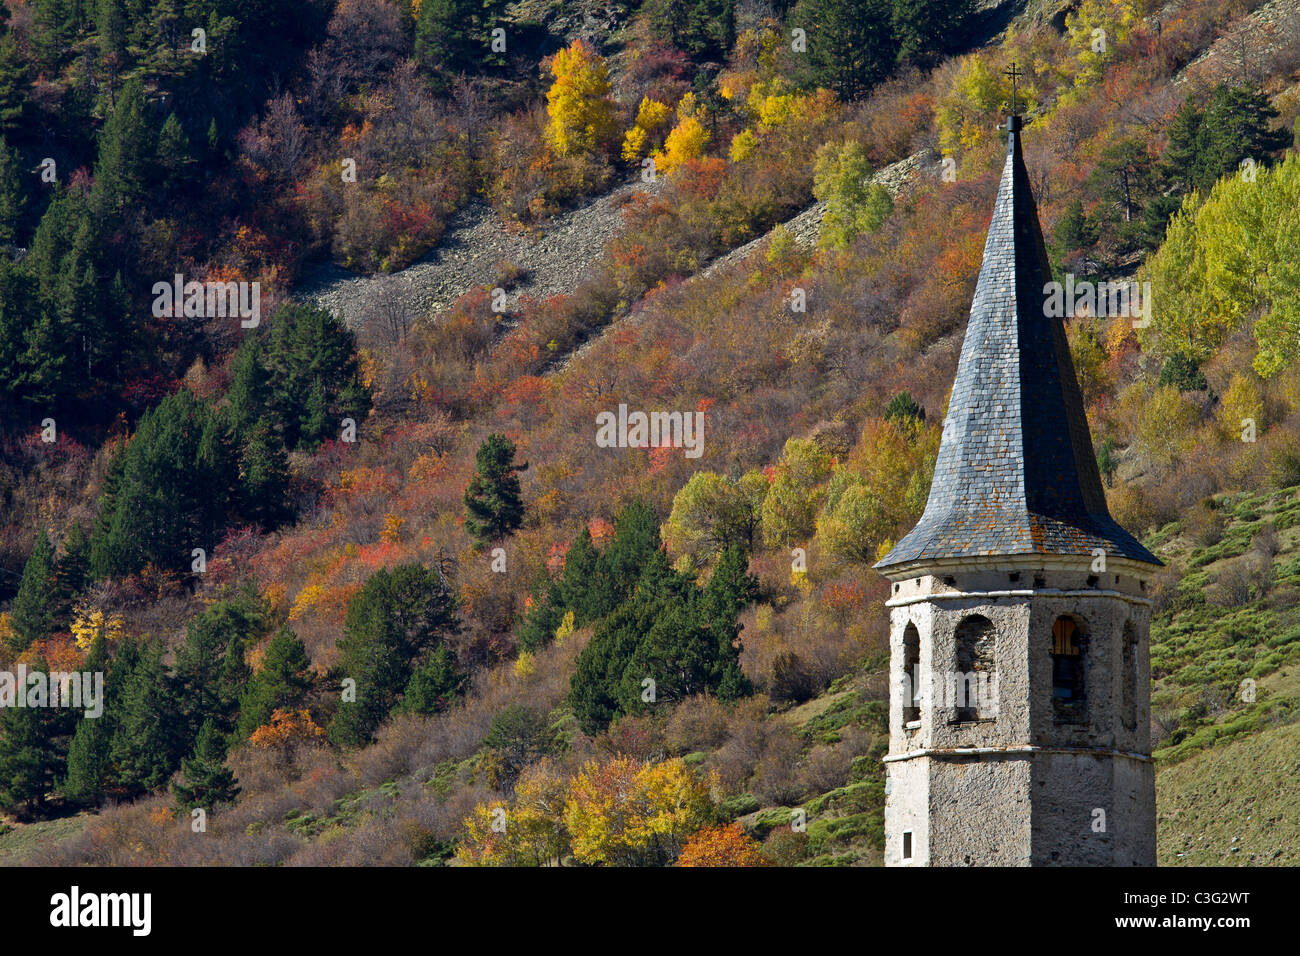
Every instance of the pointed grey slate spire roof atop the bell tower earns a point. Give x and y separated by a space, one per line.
1016 470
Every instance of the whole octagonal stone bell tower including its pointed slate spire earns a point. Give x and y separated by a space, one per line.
1020 660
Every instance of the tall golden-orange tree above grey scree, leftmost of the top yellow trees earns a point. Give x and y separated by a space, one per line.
584 118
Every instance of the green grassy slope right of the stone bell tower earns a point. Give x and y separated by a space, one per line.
1228 781
